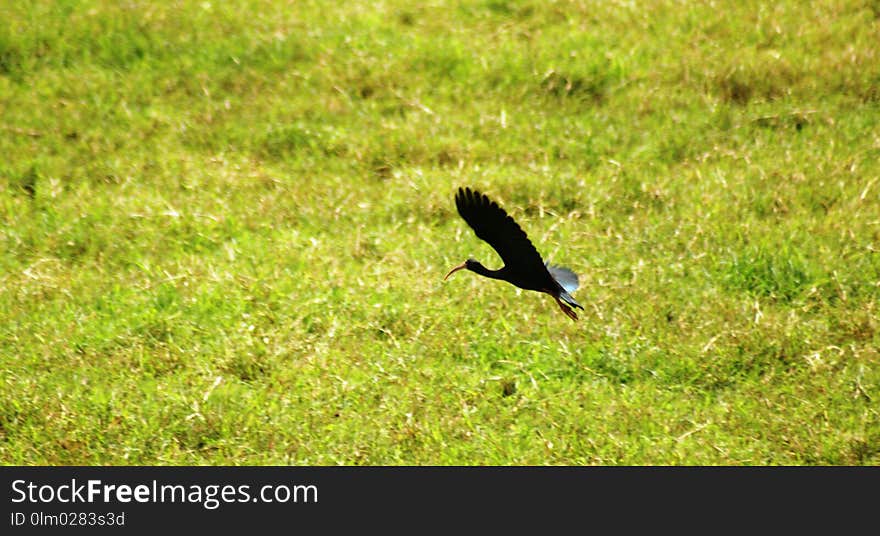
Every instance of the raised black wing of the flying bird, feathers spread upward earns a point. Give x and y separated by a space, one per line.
497 228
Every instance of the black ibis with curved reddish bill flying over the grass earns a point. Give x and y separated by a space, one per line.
523 265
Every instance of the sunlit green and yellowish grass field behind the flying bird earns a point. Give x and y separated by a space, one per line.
225 227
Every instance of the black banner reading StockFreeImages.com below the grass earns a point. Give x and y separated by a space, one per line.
122 499
